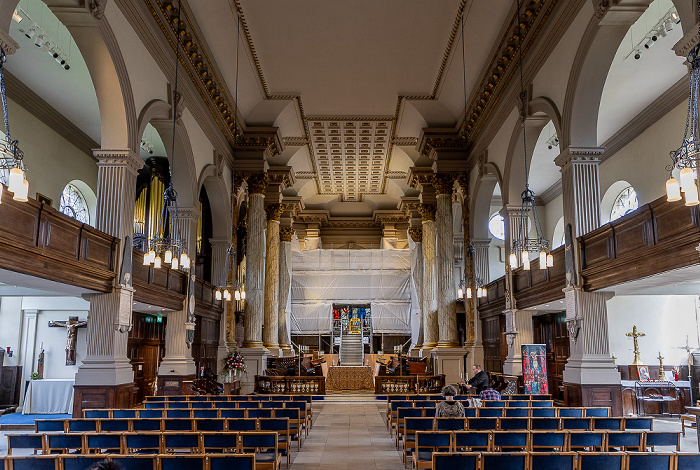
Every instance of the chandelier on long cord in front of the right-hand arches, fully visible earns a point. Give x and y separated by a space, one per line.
521 240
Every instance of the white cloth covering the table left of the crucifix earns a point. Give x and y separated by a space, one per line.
49 396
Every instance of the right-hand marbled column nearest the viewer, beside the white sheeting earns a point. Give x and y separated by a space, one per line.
447 317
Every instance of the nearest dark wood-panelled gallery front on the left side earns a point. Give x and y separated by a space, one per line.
37 240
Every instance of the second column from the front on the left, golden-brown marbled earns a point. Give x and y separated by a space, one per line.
272 264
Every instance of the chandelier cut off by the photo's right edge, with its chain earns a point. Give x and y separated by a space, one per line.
685 157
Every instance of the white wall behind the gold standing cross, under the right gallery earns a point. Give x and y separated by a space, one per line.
665 319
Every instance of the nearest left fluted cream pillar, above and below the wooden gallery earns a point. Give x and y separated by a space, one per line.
106 365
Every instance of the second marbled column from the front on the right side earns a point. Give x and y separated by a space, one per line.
430 304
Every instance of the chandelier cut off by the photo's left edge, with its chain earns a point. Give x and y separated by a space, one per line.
11 157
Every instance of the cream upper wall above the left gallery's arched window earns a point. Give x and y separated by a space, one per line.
52 160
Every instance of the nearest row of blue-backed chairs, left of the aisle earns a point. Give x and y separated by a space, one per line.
133 462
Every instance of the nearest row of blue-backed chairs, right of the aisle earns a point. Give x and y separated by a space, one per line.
563 461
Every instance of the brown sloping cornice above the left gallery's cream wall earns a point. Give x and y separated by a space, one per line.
31 102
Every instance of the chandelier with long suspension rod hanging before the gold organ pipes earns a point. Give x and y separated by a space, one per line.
168 246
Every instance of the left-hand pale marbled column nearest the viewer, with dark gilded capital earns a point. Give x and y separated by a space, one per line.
255 267
